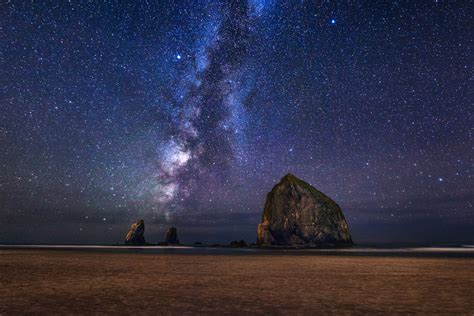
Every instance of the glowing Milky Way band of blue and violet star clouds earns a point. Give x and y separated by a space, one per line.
206 105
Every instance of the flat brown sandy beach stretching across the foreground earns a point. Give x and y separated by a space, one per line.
58 281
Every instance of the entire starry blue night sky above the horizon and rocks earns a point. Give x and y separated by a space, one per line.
186 113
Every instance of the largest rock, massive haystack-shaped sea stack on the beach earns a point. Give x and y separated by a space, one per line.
296 214
